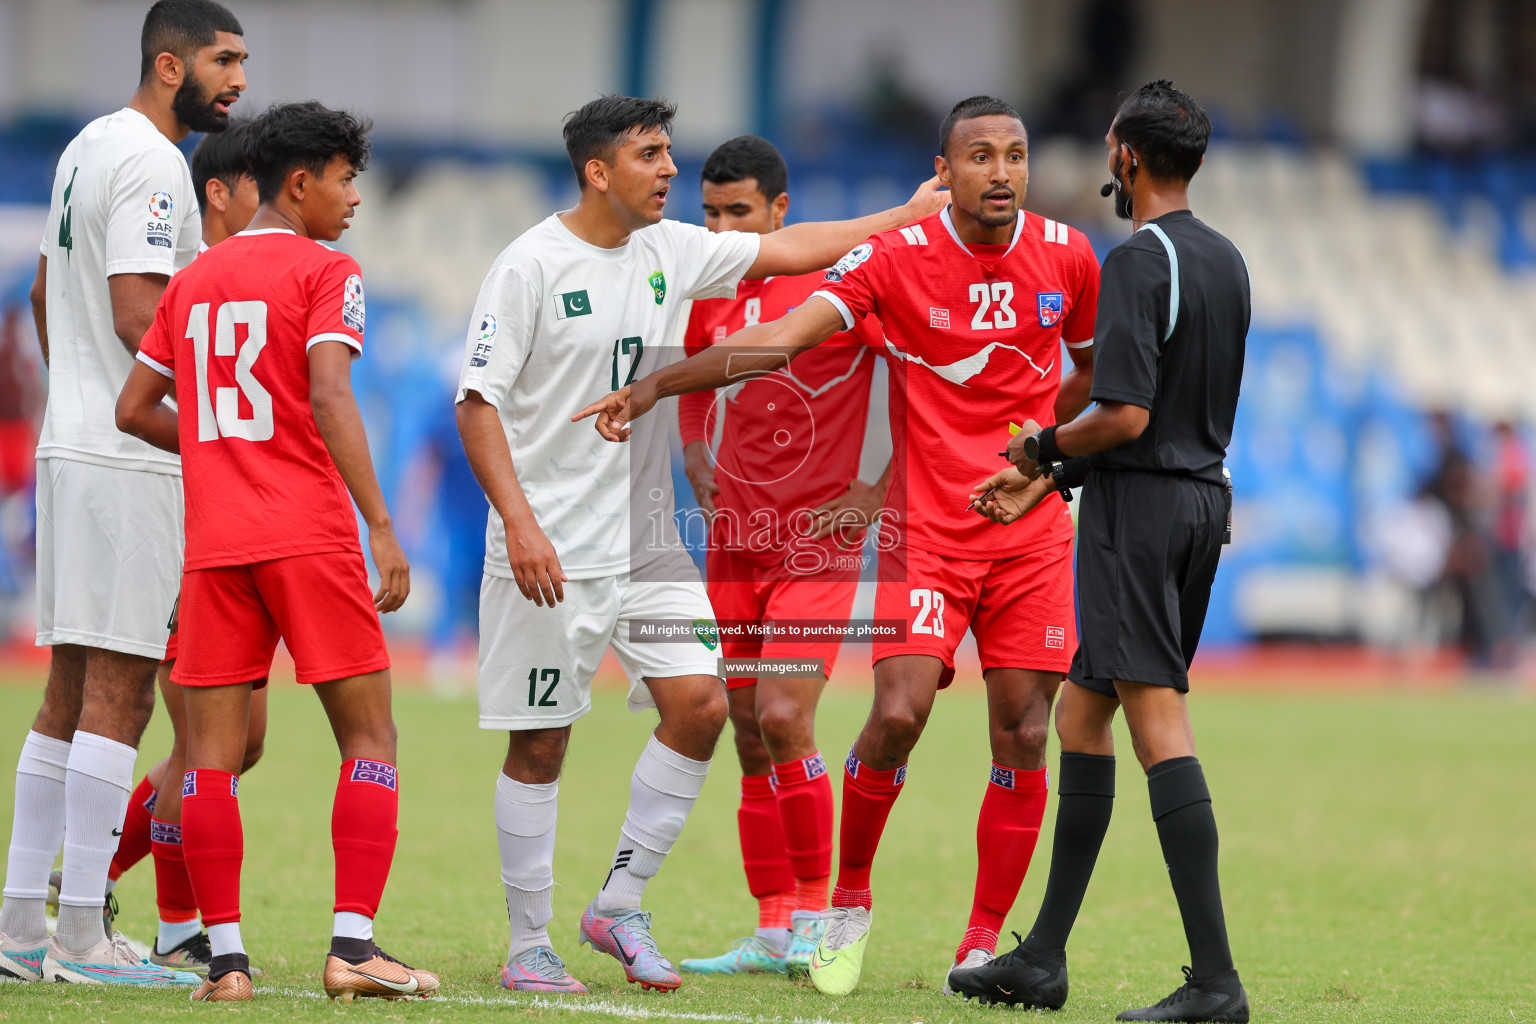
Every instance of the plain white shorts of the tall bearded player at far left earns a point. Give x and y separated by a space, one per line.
108 557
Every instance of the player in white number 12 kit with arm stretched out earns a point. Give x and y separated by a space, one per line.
581 550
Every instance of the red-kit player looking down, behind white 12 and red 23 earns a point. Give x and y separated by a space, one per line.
790 449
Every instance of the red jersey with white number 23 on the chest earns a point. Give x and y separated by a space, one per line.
975 343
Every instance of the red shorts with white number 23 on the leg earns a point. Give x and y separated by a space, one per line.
1021 609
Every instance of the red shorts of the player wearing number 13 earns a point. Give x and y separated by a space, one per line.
319 604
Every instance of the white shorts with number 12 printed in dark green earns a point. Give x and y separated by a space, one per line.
537 664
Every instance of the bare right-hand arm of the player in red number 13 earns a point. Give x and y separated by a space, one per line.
342 429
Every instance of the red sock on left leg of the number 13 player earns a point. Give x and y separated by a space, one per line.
213 842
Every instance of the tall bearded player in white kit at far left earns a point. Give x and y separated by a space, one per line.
124 219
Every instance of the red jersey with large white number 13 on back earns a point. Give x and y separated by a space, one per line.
234 331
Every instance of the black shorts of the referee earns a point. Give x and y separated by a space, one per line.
1147 555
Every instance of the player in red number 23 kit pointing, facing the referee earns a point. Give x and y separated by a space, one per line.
976 305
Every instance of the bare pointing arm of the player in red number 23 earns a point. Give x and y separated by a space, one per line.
749 354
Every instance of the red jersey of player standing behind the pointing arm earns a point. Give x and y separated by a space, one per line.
793 438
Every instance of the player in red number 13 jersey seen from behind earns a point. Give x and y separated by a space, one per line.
263 329
